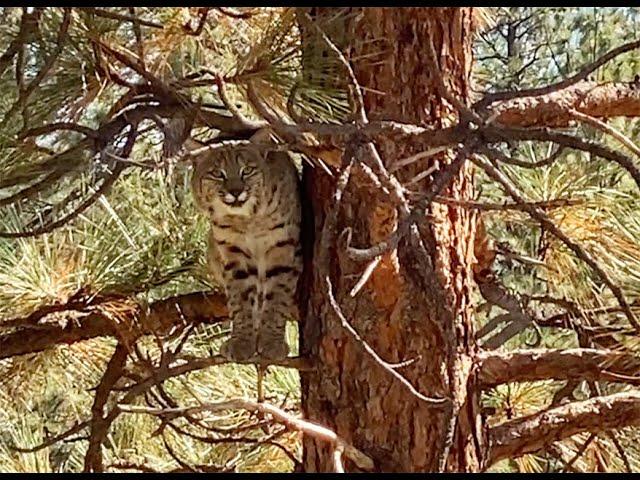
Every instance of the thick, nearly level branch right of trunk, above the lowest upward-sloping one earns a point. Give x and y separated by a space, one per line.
557 364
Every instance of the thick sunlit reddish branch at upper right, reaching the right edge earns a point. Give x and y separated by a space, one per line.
554 109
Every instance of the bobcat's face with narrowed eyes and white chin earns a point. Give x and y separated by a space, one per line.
229 179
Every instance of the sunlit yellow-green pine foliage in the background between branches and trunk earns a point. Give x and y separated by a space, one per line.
145 239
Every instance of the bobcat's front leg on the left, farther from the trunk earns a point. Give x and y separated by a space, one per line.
241 303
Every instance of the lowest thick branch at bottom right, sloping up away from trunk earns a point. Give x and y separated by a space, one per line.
534 432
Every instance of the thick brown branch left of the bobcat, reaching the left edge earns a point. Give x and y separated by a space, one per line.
194 308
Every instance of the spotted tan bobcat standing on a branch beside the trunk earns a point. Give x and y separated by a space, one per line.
251 196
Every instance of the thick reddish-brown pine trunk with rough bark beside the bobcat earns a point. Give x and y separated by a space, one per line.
405 312
